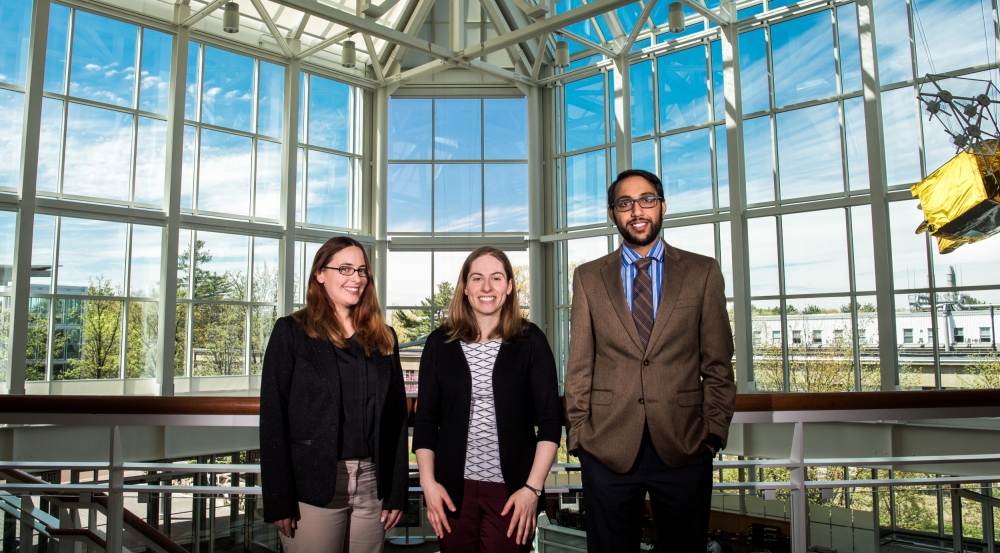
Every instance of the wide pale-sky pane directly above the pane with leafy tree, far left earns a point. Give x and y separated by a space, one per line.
91 257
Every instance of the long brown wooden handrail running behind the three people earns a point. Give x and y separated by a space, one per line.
835 401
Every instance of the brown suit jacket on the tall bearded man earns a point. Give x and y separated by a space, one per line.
682 384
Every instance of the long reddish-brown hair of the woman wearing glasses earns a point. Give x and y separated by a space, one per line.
319 318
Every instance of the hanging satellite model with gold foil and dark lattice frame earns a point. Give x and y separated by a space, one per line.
961 200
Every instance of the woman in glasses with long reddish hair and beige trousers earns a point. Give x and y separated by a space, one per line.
333 413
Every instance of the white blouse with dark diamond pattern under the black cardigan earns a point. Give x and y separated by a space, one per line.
482 458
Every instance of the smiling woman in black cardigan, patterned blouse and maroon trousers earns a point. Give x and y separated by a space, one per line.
487 379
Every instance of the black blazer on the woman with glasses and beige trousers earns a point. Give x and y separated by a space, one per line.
300 418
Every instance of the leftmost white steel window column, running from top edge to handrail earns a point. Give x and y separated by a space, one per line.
25 222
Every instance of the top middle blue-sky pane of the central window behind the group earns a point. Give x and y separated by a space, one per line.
457 133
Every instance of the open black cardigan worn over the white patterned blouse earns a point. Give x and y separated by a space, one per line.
525 394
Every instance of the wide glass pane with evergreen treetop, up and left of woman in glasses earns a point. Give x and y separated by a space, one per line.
220 266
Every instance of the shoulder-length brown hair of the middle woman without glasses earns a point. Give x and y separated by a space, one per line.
461 323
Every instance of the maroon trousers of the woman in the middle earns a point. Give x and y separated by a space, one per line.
479 527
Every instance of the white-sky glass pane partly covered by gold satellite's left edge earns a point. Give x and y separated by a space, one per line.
909 250
